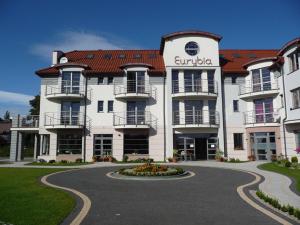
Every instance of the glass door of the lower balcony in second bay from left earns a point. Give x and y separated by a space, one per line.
136 112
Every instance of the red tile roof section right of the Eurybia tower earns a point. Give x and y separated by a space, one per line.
232 60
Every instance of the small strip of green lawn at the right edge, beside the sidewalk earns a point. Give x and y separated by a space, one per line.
294 173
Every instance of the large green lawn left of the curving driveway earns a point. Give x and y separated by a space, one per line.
25 201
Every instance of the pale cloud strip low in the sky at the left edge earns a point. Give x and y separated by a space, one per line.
14 98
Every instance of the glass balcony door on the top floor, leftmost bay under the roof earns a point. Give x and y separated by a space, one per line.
70 82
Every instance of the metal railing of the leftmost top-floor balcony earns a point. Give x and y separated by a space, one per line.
65 87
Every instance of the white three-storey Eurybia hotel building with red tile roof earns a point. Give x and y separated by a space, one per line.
189 95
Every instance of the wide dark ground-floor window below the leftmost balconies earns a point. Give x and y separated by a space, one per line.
69 143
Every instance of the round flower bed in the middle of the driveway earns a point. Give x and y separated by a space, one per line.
150 169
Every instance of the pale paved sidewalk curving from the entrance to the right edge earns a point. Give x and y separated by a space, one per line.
275 185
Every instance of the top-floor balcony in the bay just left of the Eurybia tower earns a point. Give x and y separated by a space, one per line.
133 89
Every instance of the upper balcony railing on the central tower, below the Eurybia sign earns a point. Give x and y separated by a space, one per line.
197 86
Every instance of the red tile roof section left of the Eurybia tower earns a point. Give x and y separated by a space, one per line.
111 61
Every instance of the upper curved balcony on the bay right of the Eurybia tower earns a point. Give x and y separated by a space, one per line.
250 90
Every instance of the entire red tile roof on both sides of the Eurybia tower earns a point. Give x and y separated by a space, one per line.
95 62
